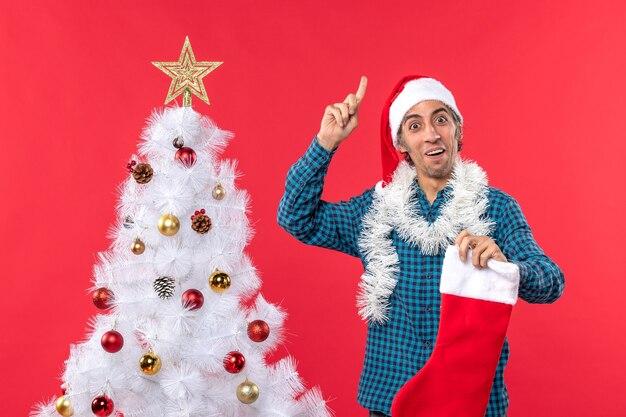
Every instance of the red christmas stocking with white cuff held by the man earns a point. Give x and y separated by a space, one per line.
476 306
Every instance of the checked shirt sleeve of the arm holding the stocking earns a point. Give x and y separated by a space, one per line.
541 280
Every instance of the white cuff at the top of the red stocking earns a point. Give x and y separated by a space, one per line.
499 282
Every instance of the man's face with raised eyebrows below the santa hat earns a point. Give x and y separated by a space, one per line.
428 135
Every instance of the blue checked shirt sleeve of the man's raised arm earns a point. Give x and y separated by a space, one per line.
313 221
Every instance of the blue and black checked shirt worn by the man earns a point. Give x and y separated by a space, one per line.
398 349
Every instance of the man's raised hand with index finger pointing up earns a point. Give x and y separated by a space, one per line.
340 119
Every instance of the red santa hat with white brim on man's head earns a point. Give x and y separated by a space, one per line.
409 91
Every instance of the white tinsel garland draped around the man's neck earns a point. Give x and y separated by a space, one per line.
394 208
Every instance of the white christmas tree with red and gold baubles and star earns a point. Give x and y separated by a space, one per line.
175 338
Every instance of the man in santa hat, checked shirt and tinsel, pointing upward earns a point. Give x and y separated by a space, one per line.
400 229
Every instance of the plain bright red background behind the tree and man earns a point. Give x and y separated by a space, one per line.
540 85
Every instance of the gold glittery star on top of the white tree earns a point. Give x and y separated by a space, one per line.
187 75
